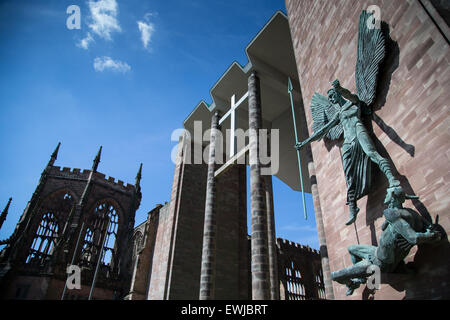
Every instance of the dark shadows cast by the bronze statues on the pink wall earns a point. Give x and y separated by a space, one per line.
427 276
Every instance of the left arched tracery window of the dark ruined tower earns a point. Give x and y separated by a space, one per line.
44 241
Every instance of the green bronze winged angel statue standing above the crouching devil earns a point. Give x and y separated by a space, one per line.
341 113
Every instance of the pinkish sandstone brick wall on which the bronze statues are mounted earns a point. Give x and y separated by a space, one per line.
415 87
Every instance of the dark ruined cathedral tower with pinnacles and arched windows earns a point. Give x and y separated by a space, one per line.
74 217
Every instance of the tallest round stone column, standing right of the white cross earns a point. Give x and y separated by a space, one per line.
259 246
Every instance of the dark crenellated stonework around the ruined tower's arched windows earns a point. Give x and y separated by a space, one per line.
35 281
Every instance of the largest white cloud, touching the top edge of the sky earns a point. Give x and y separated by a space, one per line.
104 18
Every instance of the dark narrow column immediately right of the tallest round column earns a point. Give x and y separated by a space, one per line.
271 241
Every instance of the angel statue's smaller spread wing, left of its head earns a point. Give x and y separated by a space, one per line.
323 112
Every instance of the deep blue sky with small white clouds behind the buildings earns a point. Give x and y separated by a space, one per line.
125 80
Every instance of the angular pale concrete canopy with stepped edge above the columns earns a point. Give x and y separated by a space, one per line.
271 55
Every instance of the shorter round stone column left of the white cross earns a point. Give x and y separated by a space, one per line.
207 274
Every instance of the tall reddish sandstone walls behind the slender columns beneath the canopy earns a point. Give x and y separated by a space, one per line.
176 264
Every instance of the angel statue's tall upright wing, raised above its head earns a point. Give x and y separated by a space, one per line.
371 53
